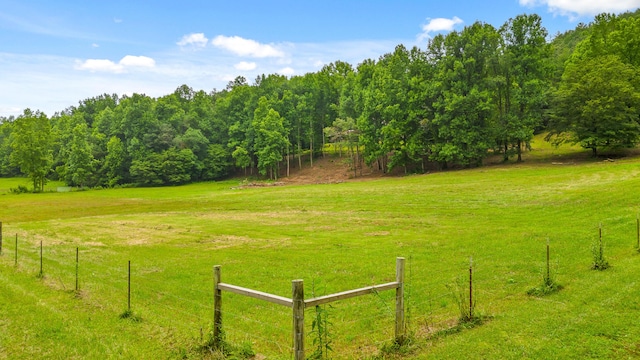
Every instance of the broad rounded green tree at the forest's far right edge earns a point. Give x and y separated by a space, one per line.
598 105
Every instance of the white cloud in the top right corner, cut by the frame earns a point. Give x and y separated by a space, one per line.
573 8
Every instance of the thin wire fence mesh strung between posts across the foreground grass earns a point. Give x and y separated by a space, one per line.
359 326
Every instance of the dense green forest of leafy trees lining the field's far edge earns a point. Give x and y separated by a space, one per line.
470 93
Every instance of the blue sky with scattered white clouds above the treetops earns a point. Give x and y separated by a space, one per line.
54 54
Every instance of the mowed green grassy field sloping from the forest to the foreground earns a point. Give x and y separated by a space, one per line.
336 237
